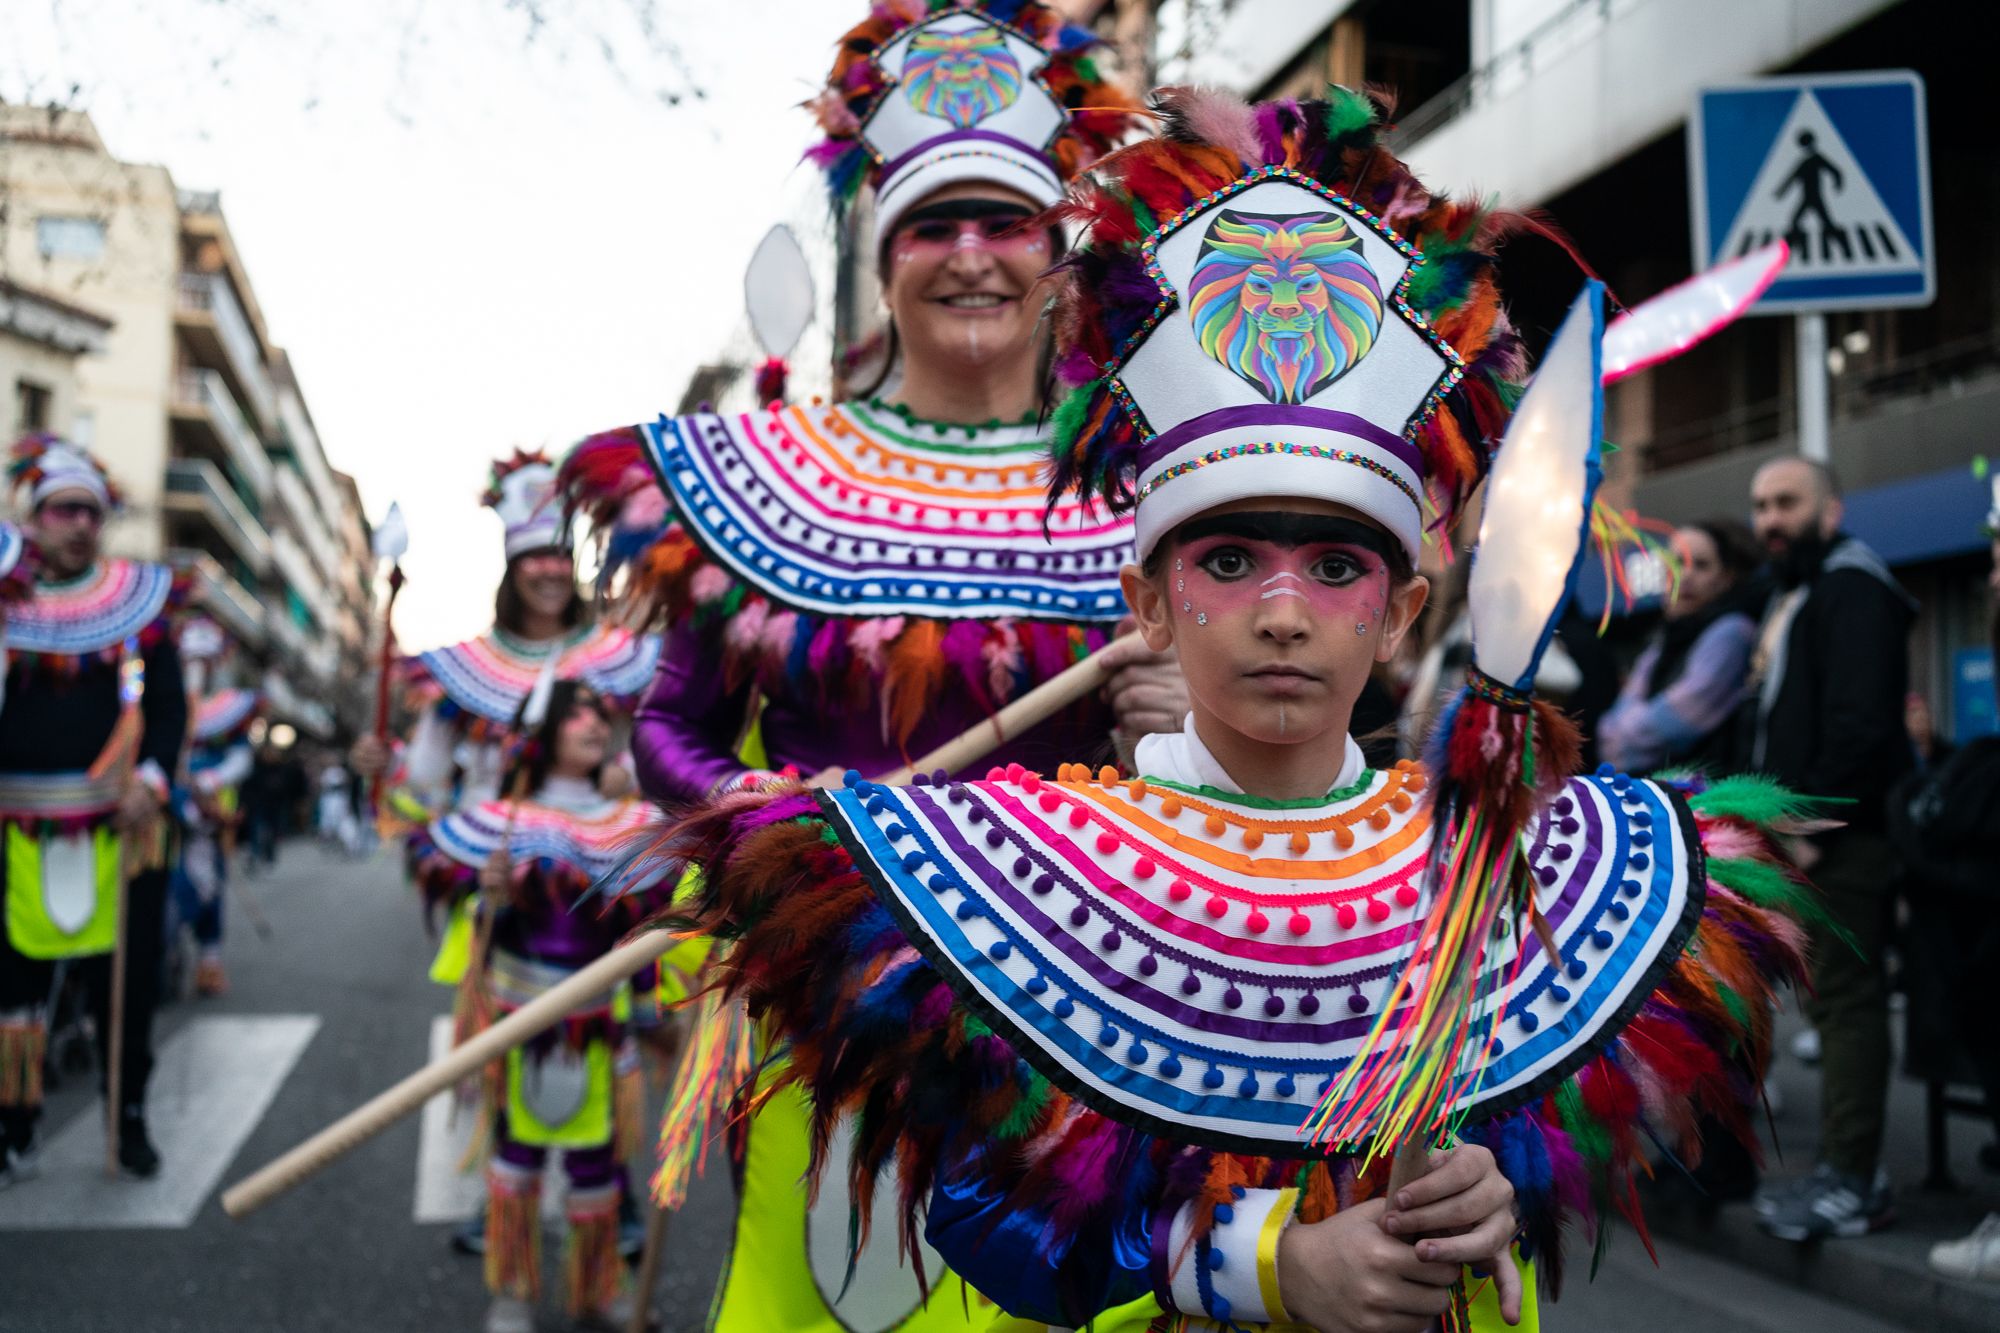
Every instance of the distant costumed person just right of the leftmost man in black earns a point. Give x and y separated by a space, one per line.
207 800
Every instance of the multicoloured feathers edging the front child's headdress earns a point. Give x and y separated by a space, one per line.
1209 141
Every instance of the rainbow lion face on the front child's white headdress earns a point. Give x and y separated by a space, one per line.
1287 303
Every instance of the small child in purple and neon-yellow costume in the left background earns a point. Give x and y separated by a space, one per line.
535 858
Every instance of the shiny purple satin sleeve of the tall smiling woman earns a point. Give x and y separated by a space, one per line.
685 732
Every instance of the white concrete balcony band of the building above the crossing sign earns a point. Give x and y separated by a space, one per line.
1597 81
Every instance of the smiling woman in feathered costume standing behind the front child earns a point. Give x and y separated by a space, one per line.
885 573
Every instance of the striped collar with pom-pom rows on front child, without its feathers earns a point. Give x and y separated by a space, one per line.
1205 966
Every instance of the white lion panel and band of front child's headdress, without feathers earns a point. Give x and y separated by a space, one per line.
1283 359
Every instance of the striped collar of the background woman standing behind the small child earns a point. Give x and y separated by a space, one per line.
489 678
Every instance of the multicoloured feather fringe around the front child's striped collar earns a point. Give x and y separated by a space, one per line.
877 1032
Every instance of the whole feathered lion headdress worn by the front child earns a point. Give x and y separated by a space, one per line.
1267 287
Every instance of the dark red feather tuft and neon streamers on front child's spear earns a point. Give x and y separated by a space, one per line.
1501 756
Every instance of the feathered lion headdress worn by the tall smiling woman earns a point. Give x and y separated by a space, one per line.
927 93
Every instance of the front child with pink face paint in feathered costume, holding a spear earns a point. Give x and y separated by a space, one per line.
1139 1052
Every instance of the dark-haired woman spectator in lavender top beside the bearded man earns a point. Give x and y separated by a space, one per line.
1687 684
